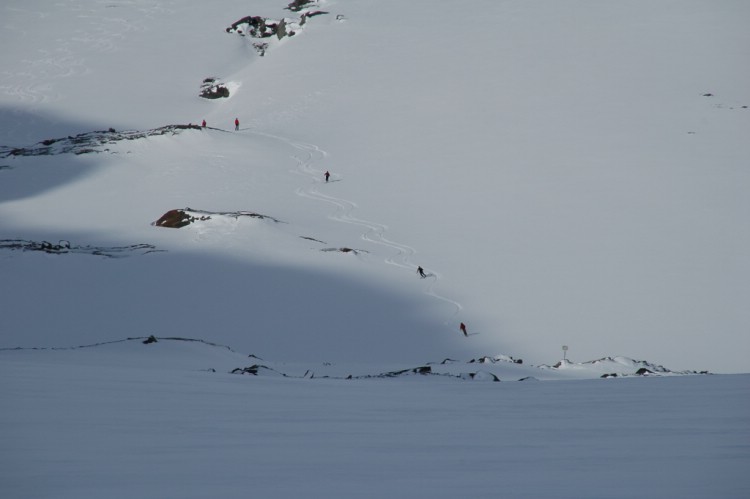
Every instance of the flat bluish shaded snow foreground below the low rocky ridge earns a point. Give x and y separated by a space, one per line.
169 419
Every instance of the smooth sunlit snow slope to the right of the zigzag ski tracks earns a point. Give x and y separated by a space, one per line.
560 166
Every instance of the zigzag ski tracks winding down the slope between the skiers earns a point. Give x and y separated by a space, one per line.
374 231
